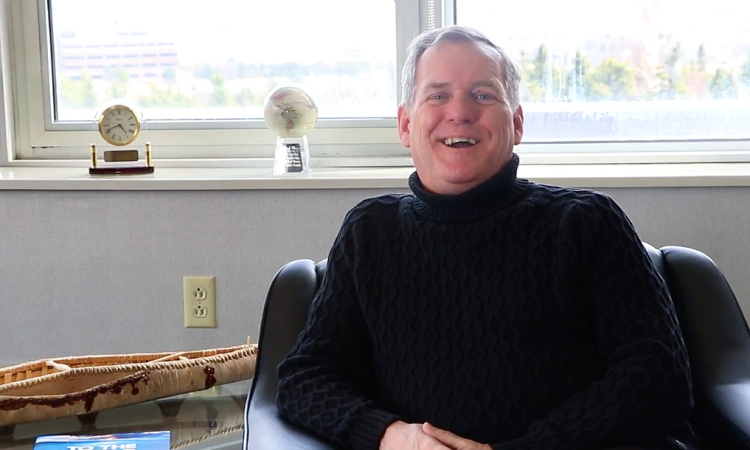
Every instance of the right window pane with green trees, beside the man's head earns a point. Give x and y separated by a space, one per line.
608 70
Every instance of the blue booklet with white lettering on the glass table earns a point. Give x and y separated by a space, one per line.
152 440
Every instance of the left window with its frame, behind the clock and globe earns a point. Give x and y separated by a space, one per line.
207 98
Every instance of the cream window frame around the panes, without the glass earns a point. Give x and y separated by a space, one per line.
30 137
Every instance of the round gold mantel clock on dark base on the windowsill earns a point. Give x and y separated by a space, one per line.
119 125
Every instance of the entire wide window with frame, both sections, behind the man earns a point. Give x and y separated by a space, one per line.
604 80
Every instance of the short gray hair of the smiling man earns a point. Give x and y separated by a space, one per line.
456 33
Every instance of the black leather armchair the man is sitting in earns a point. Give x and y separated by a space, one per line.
715 331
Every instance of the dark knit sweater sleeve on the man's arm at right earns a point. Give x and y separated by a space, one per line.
646 390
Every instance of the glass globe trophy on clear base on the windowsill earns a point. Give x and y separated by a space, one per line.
291 113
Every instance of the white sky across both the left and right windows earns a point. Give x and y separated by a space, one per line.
328 30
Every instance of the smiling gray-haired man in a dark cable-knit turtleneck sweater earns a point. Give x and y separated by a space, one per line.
485 311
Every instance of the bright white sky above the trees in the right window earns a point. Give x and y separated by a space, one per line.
716 23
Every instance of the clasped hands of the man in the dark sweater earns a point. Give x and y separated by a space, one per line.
403 436
